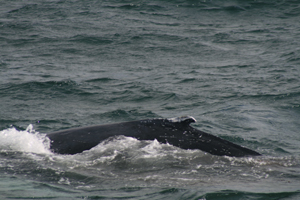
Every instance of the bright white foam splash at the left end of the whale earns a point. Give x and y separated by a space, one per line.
24 141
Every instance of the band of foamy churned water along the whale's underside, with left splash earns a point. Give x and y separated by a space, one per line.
122 148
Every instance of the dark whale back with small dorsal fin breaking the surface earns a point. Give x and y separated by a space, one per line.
175 131
